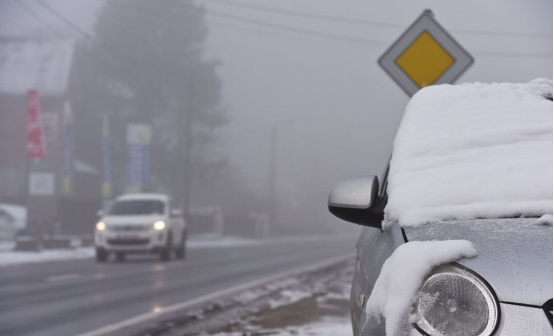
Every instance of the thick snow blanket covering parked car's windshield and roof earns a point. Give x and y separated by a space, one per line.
473 151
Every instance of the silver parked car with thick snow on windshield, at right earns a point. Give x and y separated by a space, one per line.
458 236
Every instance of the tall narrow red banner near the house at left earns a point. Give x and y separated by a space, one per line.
35 140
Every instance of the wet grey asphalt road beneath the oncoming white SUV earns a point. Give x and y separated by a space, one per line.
73 297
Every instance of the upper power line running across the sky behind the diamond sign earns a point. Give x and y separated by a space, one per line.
381 24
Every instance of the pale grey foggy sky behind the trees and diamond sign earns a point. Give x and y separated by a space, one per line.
335 108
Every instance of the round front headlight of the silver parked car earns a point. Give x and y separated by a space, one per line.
456 301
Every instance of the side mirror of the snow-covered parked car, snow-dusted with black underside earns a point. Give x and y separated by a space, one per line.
357 200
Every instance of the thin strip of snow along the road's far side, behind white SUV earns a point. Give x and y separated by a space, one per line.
9 257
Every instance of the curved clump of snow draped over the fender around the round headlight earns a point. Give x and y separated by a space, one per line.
403 274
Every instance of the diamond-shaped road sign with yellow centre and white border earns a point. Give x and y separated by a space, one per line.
425 54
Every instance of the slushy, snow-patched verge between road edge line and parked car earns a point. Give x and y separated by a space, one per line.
313 303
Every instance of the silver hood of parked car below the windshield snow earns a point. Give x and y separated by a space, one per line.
515 254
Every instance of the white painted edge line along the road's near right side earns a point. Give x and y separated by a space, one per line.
111 328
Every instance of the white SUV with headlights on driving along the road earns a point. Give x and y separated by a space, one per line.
141 223
